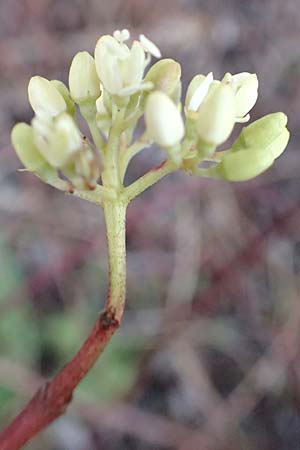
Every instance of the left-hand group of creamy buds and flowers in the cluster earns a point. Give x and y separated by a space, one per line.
53 146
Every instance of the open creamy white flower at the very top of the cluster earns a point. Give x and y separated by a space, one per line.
120 68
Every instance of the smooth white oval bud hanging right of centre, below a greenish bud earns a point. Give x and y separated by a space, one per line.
163 120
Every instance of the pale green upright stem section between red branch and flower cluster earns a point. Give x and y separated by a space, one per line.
115 215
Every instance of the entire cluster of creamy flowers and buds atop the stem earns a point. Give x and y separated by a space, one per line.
113 90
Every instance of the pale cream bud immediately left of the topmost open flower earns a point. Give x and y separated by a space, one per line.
83 79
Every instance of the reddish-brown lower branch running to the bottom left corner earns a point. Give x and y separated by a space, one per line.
52 399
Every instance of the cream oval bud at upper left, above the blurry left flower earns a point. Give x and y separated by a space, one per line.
45 98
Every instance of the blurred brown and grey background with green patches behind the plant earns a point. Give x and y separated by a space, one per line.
208 354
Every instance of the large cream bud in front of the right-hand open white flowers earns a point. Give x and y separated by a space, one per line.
216 115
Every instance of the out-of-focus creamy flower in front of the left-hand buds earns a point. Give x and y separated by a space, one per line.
56 138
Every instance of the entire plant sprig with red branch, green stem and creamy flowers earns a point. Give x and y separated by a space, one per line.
113 92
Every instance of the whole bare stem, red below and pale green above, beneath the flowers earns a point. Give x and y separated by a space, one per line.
52 399
